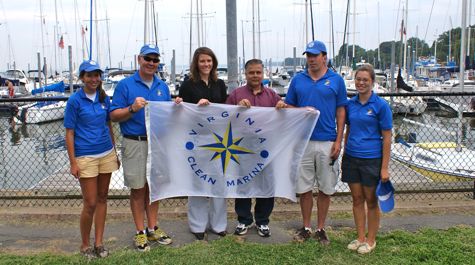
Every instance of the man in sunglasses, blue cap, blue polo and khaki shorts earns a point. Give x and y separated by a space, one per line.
130 97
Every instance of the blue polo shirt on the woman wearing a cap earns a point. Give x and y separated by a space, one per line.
89 120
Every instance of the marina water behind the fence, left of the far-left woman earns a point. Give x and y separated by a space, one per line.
30 153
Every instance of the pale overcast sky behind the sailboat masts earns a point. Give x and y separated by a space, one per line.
282 27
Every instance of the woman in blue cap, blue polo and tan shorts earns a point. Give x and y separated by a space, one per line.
91 151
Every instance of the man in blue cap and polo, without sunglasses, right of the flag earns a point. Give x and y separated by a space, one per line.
324 90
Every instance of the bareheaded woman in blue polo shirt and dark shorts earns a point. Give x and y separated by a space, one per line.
366 158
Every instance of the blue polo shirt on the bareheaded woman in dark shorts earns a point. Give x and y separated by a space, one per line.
366 123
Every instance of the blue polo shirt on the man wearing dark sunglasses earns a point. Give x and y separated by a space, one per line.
124 95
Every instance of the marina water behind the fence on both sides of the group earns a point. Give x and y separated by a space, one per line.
30 153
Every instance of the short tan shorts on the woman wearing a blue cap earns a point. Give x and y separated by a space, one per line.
90 167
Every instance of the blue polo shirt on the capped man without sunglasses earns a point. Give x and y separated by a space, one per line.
326 95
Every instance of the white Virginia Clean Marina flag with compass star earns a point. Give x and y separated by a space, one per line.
224 150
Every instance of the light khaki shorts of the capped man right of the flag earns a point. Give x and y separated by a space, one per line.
315 169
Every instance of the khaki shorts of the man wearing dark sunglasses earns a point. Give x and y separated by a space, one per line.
134 163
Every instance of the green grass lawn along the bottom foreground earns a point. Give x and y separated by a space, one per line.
428 246
